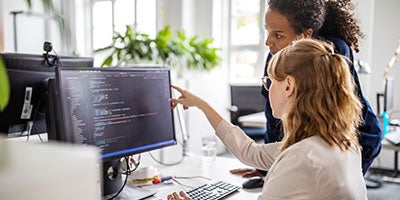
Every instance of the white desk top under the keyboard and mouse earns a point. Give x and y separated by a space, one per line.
194 166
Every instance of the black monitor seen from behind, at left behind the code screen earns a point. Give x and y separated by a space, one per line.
28 75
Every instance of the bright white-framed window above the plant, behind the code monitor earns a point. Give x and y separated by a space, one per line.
111 16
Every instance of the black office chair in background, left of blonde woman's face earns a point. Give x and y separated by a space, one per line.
247 99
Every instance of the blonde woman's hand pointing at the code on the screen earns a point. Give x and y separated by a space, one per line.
186 99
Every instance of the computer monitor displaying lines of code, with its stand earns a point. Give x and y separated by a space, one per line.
123 111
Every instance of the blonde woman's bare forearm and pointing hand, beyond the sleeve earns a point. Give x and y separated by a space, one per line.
189 100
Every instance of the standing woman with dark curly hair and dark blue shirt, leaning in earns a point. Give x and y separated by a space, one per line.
329 20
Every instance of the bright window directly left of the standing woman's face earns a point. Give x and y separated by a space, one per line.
247 51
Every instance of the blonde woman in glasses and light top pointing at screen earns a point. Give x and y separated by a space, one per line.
313 93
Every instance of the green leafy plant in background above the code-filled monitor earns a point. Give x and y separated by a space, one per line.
170 48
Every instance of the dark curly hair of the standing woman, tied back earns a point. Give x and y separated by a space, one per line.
333 18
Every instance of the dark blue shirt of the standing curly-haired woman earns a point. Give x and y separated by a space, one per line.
370 130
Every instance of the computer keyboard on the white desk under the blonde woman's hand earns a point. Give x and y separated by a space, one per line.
212 191
